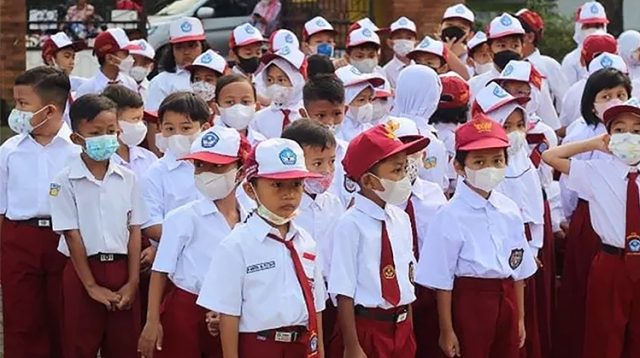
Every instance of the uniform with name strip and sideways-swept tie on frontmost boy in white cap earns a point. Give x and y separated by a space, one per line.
255 276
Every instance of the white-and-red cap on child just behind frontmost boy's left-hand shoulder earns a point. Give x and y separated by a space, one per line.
219 145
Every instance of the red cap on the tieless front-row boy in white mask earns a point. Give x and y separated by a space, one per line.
481 133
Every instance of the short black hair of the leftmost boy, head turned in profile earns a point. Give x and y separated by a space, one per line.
51 85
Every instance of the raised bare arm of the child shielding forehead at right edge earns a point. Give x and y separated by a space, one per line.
560 157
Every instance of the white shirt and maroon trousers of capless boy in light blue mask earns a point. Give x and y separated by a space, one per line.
102 211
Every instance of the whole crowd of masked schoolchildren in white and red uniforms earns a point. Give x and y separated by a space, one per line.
303 205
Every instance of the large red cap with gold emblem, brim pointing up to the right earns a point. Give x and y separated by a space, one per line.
375 145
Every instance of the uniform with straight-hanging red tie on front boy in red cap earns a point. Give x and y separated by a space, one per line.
372 263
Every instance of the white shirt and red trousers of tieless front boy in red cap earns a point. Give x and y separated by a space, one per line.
478 259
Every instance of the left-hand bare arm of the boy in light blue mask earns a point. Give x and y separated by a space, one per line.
80 263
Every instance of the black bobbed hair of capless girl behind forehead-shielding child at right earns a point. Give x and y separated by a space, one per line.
602 79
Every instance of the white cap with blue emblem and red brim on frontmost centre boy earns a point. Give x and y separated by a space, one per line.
278 159
